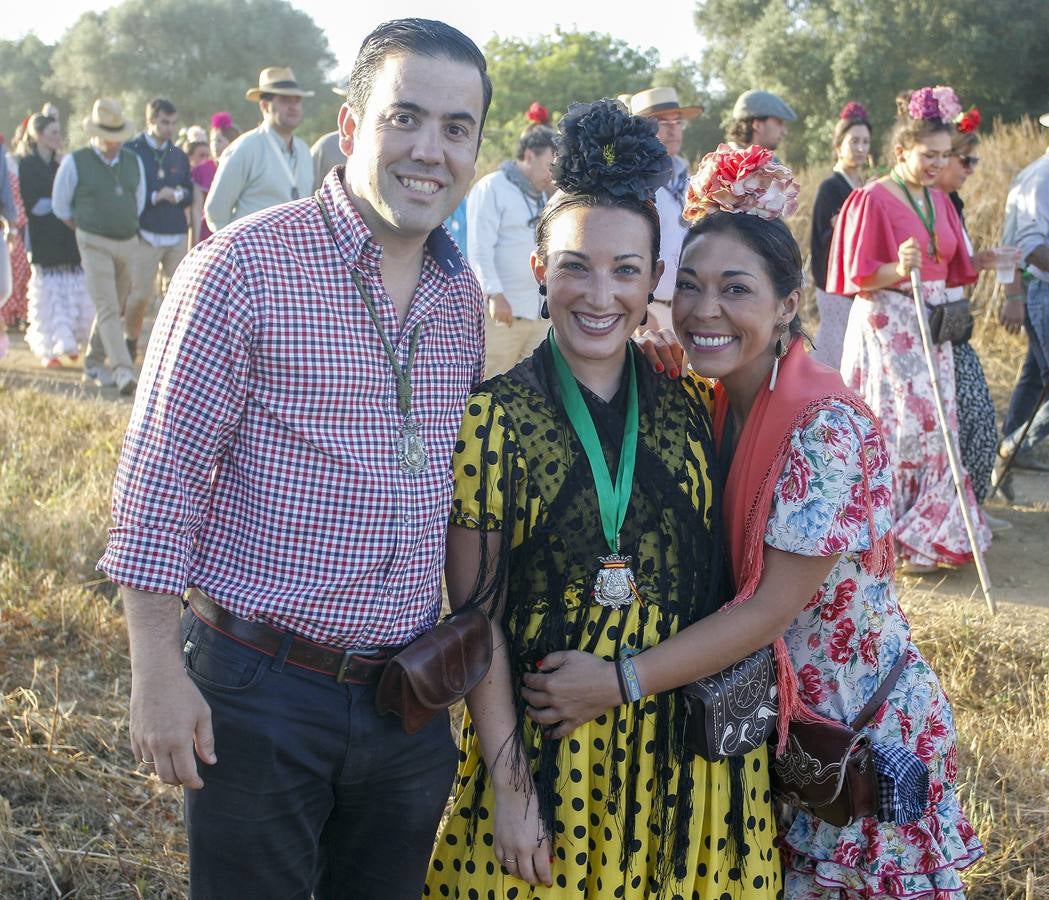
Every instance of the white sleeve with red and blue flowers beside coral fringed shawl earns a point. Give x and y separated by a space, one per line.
820 507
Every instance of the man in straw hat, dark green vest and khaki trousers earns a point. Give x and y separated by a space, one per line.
100 192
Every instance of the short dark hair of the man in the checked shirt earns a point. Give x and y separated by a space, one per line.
423 37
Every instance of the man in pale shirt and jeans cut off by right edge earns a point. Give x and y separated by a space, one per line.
1027 228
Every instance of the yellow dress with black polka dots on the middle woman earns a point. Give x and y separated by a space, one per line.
610 787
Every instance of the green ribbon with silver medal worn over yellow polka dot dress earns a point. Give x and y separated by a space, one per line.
614 584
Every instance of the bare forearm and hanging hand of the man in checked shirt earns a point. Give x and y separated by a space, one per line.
169 716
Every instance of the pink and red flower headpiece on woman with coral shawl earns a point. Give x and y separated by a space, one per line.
741 182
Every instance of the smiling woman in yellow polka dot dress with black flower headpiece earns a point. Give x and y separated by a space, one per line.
587 520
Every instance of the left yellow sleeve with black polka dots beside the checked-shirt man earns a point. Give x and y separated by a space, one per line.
487 444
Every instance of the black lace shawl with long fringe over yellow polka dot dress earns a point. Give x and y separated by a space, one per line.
680 566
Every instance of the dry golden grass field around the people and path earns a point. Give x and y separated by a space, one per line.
79 820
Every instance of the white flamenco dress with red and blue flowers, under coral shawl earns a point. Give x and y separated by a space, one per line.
843 645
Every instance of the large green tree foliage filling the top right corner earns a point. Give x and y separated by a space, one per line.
819 54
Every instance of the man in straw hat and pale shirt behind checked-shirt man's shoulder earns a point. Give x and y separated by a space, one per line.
268 165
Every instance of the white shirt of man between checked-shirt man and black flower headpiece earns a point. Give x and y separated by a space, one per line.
501 223
